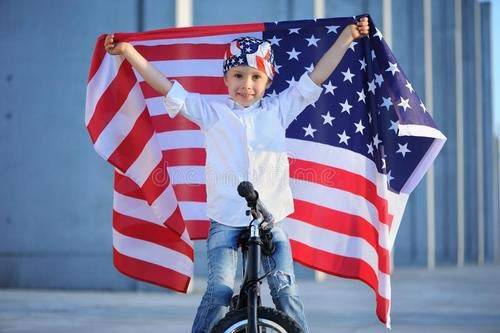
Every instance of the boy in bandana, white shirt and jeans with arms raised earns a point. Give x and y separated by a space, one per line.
245 140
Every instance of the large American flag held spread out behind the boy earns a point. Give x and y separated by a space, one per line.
355 155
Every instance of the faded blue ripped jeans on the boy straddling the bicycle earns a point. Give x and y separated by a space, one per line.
222 253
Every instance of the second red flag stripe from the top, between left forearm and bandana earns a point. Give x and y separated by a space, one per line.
182 51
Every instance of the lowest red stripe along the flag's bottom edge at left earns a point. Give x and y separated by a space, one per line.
151 273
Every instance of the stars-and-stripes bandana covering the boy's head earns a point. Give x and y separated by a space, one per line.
252 52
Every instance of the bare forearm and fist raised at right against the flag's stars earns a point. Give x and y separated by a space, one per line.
329 61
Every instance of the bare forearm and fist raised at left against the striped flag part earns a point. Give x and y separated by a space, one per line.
150 74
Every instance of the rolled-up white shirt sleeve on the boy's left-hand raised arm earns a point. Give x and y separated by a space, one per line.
191 105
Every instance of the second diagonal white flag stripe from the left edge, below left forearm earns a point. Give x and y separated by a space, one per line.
121 124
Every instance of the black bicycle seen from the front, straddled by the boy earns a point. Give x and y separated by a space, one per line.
246 314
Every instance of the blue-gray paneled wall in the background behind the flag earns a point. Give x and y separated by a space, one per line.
56 194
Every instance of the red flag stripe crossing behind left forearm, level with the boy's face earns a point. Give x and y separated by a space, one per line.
211 85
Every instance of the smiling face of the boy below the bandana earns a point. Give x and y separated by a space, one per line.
246 85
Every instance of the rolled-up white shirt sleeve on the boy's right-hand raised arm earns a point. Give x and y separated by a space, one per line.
295 99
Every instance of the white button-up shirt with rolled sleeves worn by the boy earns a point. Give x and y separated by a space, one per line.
245 144
